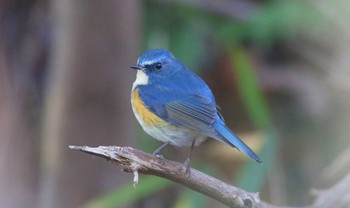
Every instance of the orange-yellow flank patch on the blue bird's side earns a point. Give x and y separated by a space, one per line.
143 112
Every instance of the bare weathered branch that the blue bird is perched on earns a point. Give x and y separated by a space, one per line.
133 160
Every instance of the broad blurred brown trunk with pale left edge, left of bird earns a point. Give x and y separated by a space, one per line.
94 42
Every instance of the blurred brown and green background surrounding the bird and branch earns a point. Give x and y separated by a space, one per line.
279 70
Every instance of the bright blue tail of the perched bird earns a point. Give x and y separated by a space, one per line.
228 137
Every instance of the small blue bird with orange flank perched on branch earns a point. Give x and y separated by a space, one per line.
176 107
